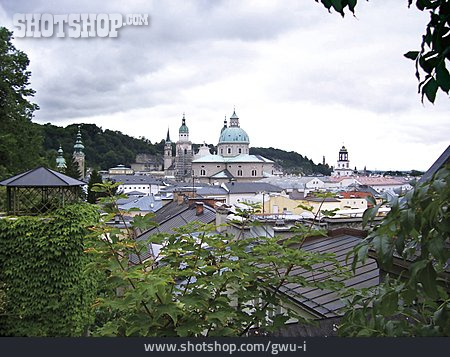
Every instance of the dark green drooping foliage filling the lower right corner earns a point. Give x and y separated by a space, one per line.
416 303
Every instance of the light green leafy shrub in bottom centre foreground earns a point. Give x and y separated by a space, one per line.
201 283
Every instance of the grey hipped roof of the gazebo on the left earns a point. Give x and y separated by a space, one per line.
41 177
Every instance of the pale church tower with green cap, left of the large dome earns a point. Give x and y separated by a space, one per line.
183 158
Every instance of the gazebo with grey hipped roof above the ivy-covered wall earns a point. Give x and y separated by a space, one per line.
40 190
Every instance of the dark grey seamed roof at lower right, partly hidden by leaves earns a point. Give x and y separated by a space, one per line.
325 303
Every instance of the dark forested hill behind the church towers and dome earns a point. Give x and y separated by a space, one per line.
107 148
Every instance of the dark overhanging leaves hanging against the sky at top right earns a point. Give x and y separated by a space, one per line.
430 60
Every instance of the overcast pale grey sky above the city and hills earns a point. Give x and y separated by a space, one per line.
300 78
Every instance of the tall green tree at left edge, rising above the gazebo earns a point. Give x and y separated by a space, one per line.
20 140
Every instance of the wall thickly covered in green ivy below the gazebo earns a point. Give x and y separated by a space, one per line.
44 287
